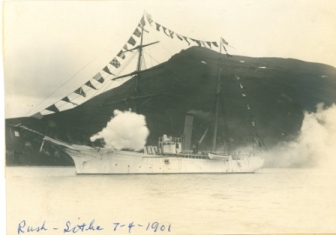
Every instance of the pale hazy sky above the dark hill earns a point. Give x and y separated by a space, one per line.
51 48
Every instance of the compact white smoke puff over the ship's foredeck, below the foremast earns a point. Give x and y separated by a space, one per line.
124 130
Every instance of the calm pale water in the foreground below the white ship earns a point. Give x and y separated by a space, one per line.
271 201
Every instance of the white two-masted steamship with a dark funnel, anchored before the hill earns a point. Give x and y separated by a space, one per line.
171 155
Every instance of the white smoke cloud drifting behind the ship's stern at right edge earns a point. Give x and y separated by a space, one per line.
314 147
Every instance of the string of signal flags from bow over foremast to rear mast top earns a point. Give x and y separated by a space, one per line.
117 60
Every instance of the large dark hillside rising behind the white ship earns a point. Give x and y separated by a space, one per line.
278 95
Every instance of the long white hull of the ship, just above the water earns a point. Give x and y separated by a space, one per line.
124 162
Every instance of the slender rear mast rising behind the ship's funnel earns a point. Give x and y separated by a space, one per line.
218 91
